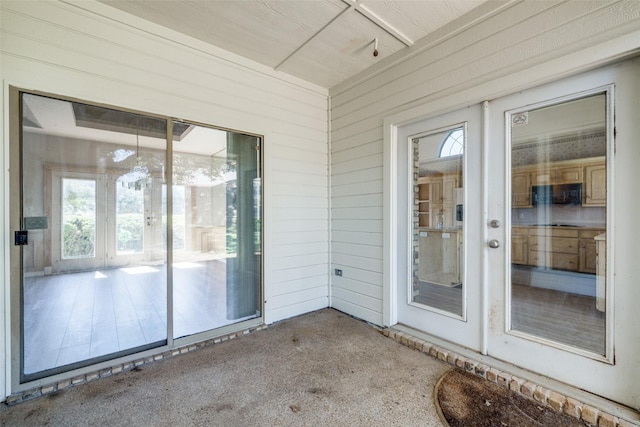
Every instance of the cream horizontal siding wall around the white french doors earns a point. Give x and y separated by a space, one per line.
482 47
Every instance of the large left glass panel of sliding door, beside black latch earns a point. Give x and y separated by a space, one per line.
93 287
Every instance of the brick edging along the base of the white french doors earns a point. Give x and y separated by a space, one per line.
549 398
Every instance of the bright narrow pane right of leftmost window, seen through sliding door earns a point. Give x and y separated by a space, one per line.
129 220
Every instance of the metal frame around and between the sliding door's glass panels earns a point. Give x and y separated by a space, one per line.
14 274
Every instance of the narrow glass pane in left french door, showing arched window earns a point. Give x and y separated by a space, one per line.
438 215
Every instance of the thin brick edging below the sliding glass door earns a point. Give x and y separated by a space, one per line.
123 367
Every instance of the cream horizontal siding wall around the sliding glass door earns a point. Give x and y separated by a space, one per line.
89 51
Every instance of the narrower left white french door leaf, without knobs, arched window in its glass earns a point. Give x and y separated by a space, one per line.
438 183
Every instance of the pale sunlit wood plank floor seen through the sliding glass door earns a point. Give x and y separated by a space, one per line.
74 317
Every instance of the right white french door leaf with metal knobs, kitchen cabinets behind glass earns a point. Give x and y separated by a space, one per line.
559 301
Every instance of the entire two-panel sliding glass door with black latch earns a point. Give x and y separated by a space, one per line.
126 237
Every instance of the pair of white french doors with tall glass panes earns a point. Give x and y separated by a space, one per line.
545 273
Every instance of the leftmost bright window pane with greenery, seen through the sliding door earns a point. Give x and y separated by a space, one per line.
78 218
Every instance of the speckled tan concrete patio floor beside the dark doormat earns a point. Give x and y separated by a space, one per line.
323 368
